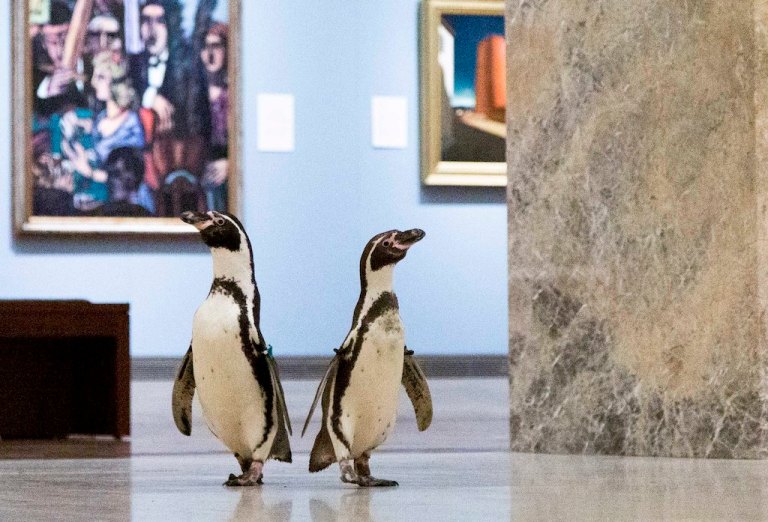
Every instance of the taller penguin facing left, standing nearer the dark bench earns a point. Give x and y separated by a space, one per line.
228 362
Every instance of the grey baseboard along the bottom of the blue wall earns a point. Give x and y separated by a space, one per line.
297 368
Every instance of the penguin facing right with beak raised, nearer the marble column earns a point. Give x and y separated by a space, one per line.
360 389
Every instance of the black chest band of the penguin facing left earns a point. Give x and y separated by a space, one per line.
252 348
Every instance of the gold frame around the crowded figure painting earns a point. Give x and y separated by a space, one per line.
25 223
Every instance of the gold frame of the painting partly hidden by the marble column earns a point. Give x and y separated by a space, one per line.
433 170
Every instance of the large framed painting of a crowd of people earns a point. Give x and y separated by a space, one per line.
125 114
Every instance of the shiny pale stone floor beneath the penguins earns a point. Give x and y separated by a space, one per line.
457 470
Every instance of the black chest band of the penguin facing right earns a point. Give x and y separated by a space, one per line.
386 302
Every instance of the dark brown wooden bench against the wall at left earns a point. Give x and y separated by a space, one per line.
64 369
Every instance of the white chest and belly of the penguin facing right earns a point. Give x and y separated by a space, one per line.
369 406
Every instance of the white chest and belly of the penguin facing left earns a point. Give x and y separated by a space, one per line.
231 399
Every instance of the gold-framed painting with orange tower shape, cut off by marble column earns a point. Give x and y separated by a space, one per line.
463 93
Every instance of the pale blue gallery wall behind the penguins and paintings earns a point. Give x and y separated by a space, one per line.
308 212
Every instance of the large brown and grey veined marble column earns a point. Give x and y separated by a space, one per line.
637 226
